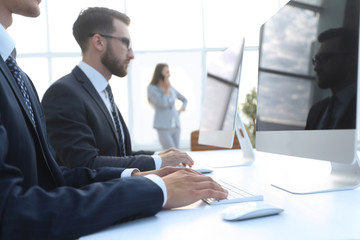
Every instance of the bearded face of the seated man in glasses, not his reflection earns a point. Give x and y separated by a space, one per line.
116 57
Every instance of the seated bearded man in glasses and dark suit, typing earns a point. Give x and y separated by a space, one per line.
78 110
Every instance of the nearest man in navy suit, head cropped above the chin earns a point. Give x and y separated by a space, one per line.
39 199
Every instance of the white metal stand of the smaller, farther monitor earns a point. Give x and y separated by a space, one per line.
248 153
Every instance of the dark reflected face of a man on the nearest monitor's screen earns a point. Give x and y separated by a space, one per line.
329 64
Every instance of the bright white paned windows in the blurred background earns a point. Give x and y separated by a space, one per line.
186 34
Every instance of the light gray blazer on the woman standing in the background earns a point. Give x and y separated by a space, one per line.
166 115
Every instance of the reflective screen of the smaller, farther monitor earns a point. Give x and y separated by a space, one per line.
221 91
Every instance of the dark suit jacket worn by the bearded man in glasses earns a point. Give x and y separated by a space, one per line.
81 129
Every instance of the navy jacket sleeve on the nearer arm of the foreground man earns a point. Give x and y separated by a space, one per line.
67 212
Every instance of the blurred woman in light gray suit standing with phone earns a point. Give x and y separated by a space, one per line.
162 97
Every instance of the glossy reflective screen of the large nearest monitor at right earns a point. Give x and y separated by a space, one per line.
294 62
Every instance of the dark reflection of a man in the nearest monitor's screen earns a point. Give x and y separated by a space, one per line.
336 67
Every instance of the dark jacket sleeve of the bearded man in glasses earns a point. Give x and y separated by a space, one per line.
71 124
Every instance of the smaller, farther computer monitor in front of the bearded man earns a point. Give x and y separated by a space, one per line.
220 118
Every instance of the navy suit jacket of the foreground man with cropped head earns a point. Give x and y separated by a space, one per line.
39 199
